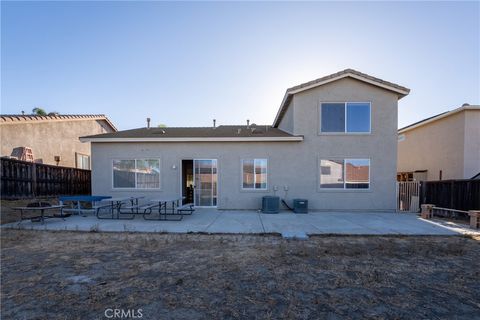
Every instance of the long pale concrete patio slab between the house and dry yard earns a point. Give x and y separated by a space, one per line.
285 223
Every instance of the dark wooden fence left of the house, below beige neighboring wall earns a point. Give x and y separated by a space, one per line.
20 179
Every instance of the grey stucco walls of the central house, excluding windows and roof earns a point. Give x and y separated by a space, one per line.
293 167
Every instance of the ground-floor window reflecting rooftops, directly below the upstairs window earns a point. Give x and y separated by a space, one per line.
345 174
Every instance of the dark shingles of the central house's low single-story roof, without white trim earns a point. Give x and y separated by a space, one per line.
223 131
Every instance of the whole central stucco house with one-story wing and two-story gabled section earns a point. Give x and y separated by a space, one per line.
333 142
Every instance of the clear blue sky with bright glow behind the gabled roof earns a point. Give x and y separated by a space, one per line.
183 64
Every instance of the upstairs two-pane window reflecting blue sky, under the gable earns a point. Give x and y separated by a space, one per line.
348 117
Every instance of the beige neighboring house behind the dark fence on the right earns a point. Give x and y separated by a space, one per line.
445 146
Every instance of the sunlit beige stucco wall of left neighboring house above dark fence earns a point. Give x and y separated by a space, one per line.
51 138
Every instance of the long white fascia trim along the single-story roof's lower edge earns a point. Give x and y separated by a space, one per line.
212 139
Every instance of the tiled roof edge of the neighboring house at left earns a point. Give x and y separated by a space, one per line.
24 118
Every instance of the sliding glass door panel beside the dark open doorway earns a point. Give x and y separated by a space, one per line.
205 182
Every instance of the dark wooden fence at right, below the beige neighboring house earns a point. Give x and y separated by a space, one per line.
452 194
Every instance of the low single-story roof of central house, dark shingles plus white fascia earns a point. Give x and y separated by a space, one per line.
220 133
